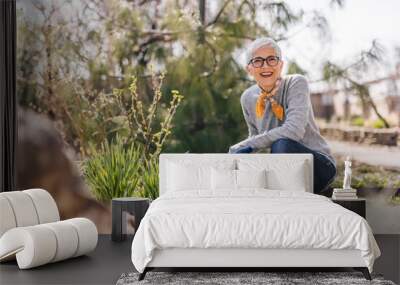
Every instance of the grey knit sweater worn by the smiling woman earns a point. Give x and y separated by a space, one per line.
298 123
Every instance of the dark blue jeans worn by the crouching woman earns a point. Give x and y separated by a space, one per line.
324 170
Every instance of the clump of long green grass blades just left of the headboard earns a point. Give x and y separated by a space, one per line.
118 169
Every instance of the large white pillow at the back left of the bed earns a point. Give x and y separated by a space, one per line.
186 174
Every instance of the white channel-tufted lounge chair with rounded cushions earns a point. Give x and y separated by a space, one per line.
31 232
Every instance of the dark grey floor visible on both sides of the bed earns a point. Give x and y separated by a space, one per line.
110 260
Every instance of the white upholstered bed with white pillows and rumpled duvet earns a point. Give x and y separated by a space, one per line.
280 225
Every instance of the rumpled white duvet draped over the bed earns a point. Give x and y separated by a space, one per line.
250 219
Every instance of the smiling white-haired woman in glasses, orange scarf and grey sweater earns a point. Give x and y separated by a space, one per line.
279 114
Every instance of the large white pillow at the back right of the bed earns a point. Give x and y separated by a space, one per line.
282 174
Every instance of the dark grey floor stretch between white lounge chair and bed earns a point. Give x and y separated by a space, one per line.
103 266
